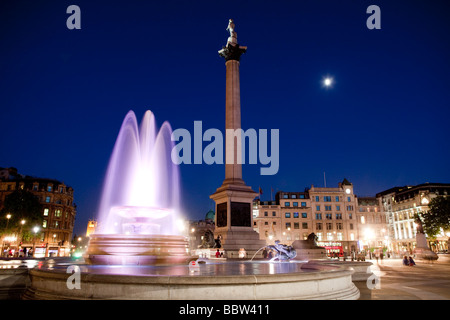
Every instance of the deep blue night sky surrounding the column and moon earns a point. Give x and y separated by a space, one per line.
385 122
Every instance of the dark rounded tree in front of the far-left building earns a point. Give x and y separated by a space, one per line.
22 205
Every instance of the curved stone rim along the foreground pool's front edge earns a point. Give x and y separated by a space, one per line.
316 271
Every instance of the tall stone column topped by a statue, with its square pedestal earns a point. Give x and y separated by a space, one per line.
234 221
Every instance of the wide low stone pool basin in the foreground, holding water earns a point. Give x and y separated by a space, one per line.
221 281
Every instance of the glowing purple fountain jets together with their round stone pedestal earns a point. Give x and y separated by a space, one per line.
139 208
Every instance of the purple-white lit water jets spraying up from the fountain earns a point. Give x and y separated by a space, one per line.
141 187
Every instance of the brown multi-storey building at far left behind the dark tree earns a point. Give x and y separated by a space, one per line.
53 237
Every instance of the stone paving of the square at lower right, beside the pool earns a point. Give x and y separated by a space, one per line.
424 281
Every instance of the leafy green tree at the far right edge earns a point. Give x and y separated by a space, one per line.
437 217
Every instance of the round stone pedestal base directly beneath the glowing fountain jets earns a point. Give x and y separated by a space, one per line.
137 249
